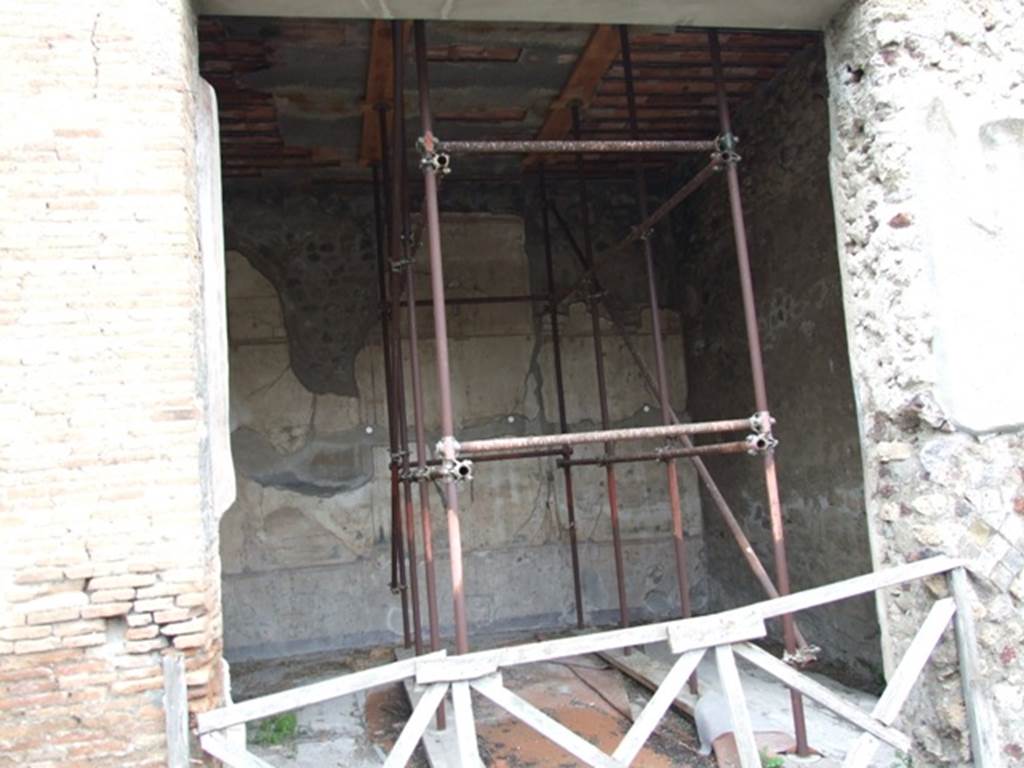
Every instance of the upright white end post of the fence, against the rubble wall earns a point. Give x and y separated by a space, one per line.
979 716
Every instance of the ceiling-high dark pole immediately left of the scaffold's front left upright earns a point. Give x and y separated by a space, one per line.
399 251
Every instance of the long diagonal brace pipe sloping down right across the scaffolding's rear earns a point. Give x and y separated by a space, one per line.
760 573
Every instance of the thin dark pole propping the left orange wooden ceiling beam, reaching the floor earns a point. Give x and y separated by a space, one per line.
398 545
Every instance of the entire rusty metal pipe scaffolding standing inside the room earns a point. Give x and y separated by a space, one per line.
452 462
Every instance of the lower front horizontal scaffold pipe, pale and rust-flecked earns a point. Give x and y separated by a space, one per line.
606 436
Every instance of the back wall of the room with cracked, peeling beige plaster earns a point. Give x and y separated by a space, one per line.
306 548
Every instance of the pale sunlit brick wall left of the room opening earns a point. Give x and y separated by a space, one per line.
108 534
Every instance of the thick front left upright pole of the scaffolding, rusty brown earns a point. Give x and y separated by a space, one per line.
441 339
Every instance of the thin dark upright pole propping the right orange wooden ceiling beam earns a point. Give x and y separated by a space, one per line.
603 389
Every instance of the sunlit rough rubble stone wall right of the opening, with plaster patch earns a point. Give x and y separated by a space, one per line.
928 162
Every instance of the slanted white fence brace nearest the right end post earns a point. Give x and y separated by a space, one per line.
904 679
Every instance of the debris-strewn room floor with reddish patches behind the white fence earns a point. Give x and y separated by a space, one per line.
586 694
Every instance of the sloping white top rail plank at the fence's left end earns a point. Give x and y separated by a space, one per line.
294 699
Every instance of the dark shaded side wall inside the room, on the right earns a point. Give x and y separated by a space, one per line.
784 133
